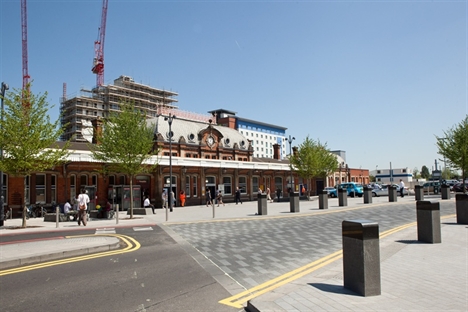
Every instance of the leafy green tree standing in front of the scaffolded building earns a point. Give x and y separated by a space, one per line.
126 143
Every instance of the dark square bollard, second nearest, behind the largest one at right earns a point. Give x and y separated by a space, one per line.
428 222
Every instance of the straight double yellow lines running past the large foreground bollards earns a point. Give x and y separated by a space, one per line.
238 301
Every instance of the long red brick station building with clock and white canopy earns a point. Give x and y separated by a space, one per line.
204 155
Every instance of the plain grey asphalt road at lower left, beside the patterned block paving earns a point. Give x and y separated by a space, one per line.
160 276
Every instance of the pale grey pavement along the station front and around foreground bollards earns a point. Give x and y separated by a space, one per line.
414 275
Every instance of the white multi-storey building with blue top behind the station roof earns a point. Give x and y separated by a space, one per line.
263 136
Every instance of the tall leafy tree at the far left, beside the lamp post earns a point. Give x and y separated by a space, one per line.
28 138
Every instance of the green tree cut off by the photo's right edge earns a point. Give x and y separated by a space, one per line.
454 147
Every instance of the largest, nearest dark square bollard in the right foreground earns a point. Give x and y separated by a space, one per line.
361 257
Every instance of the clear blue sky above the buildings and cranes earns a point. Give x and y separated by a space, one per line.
376 79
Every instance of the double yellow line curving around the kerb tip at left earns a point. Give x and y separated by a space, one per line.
131 243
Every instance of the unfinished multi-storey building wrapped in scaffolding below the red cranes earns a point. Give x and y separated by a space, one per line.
77 113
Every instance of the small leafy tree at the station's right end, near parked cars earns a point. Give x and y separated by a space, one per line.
313 160
